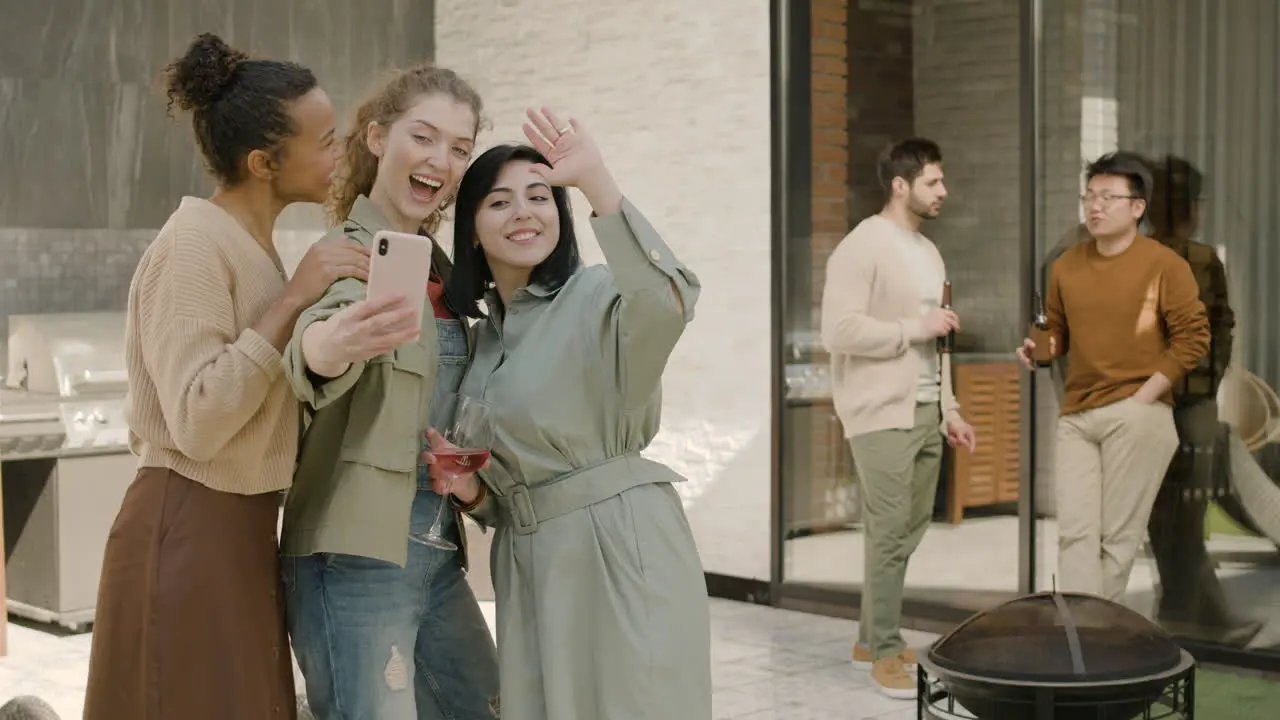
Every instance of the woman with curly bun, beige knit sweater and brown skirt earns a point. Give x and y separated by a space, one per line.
190 614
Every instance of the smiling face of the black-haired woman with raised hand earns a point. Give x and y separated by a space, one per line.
518 224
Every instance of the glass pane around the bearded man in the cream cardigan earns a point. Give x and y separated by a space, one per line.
899 78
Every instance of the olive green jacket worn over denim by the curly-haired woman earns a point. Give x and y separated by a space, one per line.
363 434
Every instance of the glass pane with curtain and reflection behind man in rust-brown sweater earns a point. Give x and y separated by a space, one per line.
1178 84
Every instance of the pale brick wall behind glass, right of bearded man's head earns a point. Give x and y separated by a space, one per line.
967 99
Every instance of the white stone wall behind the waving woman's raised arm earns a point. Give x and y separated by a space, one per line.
678 95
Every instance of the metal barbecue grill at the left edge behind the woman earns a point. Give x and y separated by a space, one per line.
67 463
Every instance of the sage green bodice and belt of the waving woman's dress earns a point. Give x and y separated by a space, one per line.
575 377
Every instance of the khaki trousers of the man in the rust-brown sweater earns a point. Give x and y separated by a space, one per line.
1109 466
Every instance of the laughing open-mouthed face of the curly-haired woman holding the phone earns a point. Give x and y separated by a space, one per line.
422 158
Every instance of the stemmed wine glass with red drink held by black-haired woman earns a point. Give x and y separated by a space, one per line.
468 436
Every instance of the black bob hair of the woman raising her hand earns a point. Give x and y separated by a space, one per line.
472 276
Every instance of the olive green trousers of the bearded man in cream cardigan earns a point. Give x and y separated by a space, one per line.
898 472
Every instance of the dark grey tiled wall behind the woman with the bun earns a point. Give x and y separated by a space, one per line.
90 165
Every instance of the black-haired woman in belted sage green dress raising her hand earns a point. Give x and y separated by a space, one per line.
602 603
